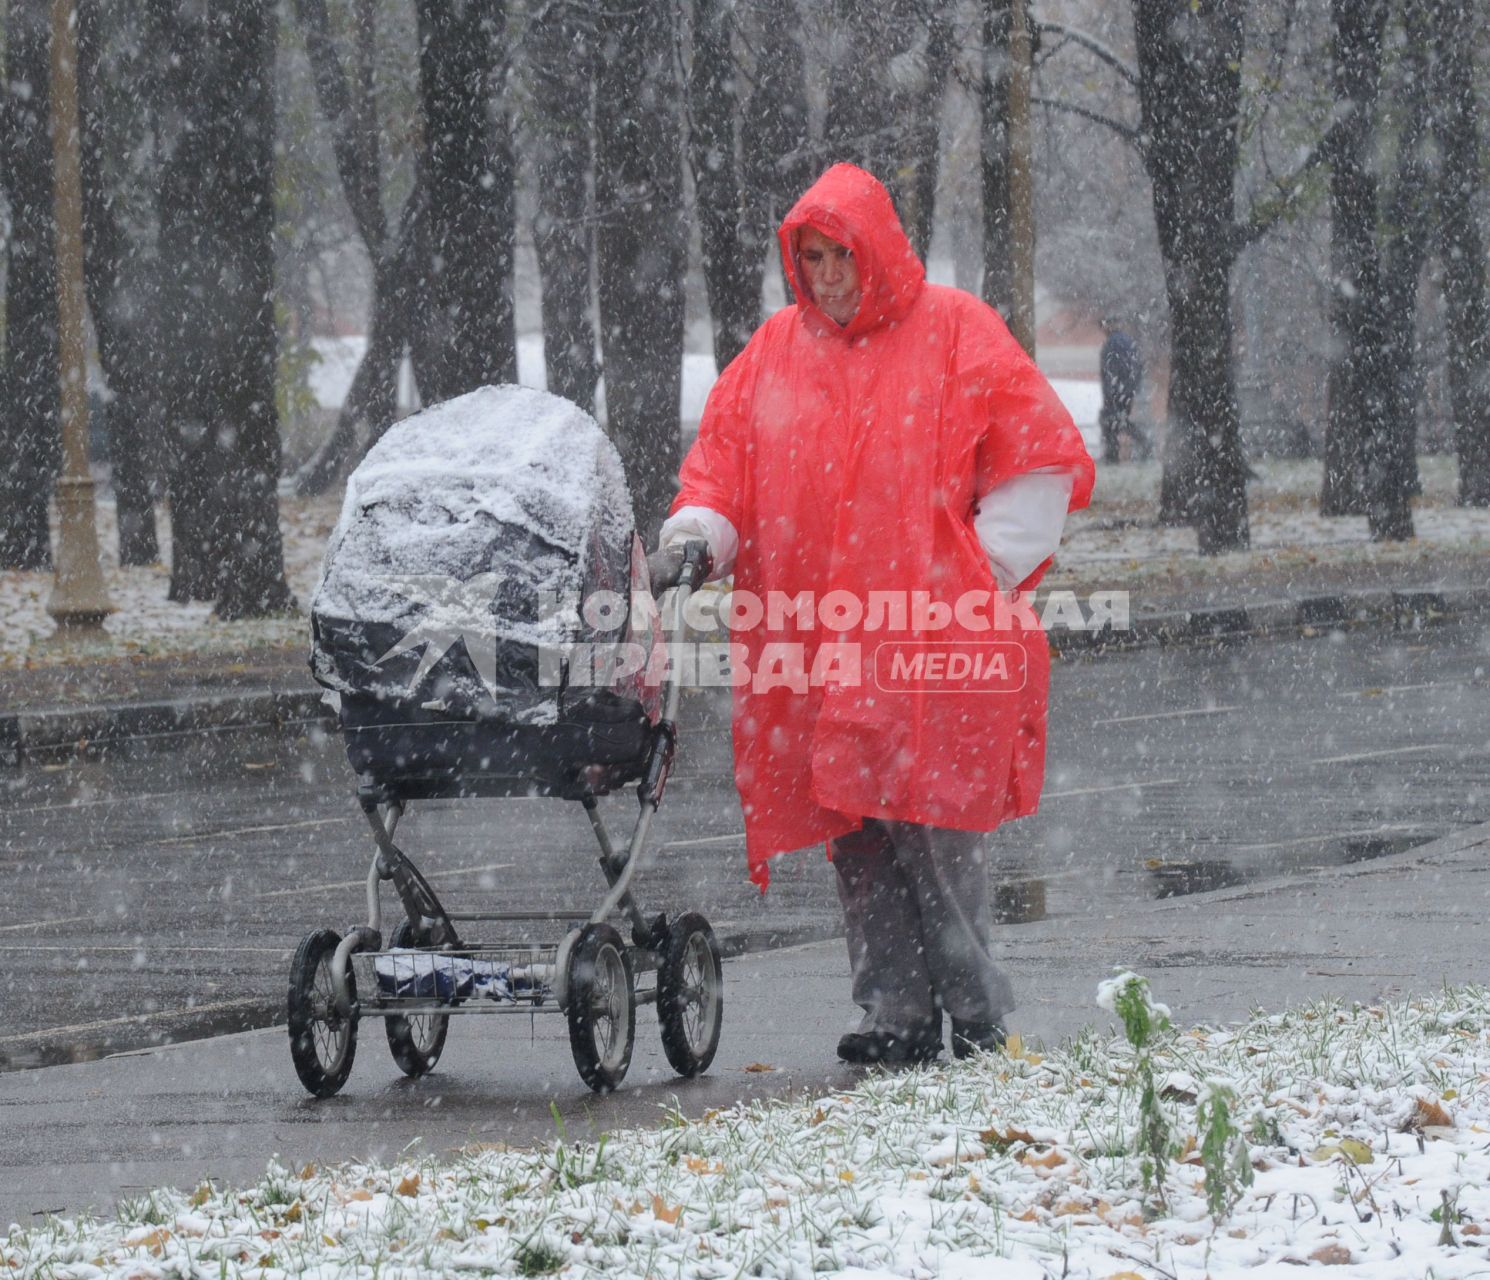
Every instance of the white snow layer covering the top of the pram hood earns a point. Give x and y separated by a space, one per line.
428 495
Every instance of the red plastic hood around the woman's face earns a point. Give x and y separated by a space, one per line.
853 208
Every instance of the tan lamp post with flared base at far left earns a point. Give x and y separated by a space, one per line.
80 600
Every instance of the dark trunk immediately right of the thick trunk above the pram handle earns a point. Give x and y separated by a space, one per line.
732 259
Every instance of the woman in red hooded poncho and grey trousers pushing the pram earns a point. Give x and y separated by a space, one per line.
884 469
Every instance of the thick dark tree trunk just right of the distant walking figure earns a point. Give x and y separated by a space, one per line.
1190 92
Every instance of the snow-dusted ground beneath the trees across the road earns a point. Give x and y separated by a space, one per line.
1114 545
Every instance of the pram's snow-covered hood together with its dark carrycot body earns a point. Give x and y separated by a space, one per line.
454 594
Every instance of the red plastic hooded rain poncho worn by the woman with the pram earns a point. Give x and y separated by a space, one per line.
850 460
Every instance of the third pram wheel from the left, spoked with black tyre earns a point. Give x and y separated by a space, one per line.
601 1007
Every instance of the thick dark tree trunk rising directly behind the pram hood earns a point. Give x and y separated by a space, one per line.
469 336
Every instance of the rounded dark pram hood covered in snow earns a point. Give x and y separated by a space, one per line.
469 540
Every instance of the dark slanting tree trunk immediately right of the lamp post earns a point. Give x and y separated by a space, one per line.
118 287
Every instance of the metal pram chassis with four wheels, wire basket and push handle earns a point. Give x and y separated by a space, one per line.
653 947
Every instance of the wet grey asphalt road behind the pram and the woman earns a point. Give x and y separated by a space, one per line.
159 895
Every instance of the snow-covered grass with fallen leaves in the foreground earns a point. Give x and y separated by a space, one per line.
1360 1139
